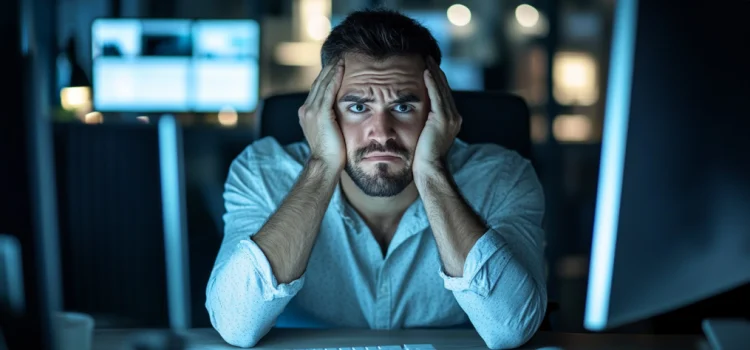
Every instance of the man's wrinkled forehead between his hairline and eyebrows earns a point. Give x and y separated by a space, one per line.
397 72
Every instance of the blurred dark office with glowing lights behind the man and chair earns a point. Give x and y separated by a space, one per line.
122 64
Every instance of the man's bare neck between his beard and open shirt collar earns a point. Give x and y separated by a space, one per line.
380 209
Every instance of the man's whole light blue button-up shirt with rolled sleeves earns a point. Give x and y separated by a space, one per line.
350 284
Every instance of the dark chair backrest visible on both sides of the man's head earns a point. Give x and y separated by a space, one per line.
489 117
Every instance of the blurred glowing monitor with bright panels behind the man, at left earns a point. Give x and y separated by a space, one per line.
175 65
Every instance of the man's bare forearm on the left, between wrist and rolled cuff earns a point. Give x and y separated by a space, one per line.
288 236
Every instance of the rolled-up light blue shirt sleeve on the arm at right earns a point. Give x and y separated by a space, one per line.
503 289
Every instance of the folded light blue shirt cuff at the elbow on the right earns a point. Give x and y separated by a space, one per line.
480 276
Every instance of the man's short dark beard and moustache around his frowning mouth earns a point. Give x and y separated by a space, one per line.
382 183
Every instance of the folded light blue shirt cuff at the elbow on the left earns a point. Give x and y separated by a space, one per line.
270 289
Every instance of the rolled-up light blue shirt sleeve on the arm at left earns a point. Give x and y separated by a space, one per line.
243 298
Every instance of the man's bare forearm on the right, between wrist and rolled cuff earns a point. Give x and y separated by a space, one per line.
454 223
